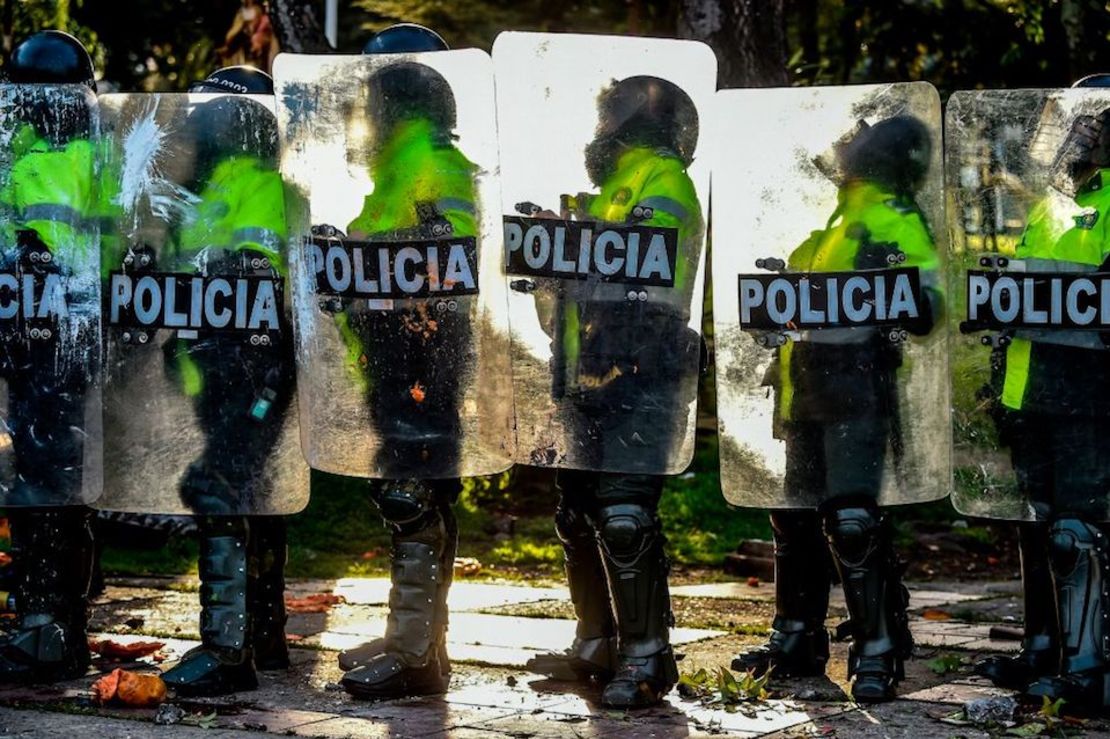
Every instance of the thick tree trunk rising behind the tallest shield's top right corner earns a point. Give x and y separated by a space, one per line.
748 36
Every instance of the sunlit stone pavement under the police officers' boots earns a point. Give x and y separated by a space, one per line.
496 629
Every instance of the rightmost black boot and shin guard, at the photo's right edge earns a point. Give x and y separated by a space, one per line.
1079 556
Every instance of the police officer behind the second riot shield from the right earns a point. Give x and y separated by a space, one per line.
836 409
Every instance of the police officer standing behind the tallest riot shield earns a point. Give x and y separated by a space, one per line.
628 361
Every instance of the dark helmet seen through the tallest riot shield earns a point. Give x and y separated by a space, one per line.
642 112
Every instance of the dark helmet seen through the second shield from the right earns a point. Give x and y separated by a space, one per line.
895 153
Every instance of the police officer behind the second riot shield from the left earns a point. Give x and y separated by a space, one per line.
240 393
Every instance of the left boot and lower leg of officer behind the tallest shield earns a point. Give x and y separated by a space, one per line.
593 653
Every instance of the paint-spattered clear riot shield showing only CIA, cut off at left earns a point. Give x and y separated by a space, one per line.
49 297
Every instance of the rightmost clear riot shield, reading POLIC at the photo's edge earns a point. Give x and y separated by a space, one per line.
1031 301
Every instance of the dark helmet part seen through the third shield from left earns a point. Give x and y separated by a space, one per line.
410 92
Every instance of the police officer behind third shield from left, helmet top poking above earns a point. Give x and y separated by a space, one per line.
422 183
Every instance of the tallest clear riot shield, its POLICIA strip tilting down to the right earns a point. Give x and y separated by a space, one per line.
606 199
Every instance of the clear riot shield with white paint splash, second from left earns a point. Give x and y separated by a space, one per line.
199 393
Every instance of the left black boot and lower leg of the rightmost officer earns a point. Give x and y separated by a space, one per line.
1041 649
